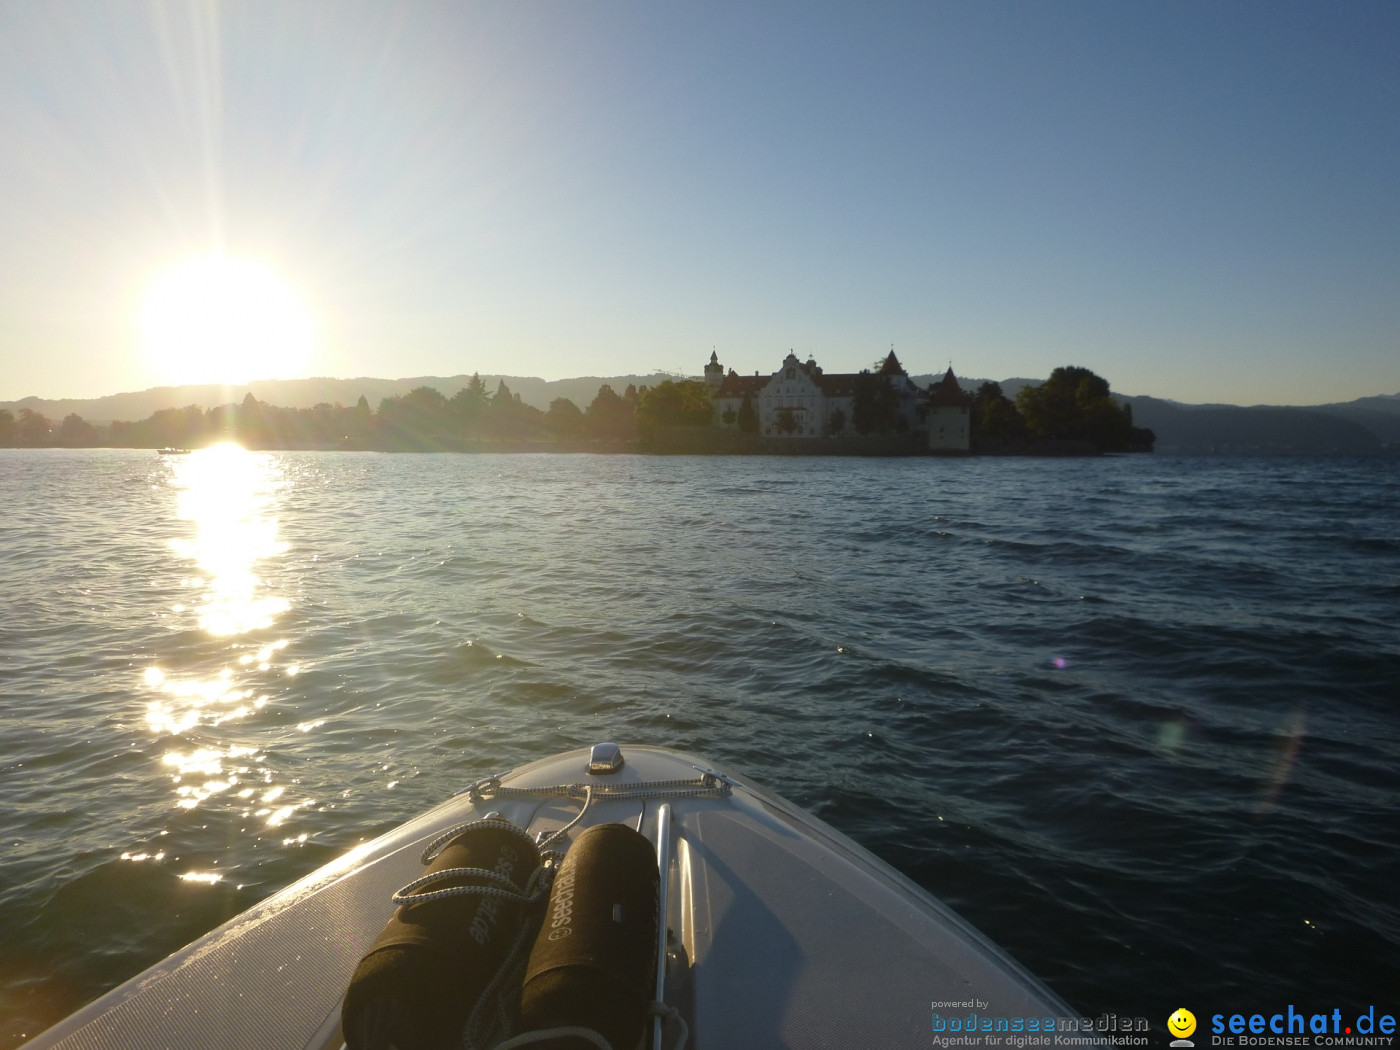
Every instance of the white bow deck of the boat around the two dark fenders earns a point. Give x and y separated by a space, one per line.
783 932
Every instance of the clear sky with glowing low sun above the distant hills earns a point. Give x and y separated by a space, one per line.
1198 201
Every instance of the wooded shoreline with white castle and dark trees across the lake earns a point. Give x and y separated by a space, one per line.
799 409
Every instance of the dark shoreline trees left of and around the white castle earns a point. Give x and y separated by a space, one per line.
1072 407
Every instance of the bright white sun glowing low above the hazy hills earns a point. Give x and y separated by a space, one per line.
225 320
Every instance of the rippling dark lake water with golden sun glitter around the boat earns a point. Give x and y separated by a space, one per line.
1133 717
